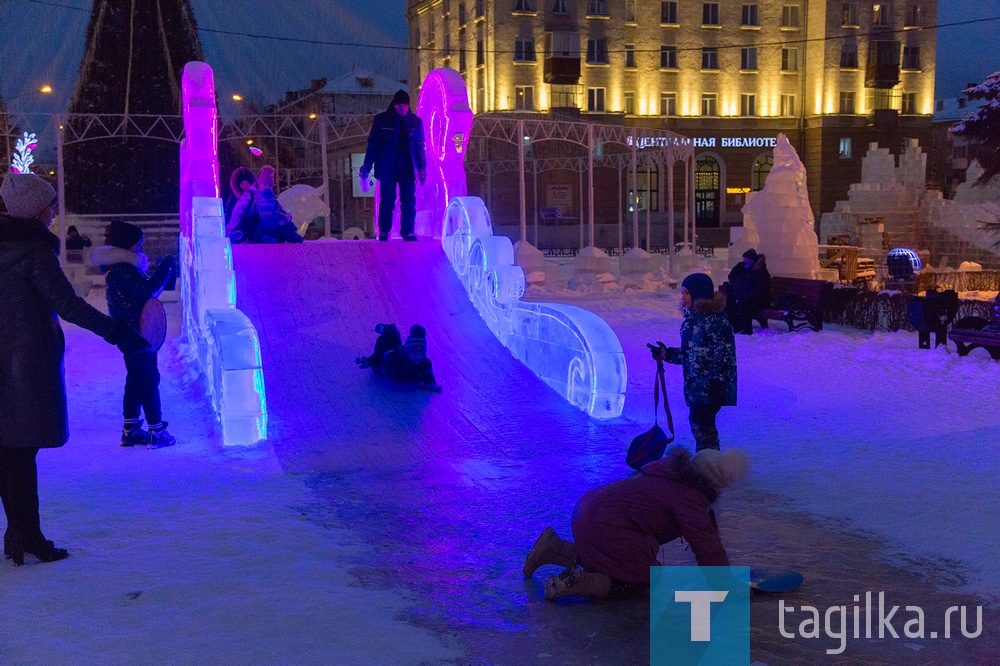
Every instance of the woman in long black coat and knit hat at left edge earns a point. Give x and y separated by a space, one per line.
34 293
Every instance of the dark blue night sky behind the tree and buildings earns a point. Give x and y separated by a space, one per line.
42 41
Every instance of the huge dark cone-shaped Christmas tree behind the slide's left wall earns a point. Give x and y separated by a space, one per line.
132 68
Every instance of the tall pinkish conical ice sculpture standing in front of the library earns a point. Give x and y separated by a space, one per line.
778 220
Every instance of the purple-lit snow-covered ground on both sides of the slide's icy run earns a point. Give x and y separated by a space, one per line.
196 553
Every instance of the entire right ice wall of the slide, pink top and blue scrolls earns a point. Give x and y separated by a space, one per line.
571 349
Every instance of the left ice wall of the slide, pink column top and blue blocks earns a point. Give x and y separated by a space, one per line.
224 339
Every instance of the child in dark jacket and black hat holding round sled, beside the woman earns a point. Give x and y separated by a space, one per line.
125 265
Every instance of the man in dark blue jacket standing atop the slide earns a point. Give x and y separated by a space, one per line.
396 149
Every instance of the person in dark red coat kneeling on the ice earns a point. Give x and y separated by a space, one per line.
618 528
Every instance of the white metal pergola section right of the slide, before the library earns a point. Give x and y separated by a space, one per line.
636 147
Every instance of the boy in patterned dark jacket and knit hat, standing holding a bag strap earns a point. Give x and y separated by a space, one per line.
707 355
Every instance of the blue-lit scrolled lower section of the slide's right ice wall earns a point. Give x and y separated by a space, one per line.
571 349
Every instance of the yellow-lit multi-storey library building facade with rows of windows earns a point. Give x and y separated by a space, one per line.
831 76
